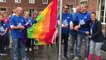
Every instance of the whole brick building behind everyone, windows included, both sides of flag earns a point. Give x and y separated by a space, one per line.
93 5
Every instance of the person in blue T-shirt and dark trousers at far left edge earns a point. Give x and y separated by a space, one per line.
3 35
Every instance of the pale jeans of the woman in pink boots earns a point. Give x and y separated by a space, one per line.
95 46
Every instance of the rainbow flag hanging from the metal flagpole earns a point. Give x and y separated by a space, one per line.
44 30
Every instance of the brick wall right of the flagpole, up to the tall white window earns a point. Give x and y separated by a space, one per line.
74 3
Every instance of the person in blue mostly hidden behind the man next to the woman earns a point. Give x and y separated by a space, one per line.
73 33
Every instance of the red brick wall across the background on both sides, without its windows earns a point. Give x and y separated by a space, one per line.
92 4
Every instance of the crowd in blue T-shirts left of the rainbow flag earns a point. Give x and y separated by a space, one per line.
16 25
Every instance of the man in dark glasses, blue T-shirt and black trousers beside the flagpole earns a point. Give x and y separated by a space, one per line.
66 18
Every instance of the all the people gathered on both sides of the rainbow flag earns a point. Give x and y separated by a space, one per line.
79 26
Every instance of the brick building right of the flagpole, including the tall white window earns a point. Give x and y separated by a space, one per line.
99 6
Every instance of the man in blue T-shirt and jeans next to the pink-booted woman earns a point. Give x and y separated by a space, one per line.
83 29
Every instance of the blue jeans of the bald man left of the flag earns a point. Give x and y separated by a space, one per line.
19 46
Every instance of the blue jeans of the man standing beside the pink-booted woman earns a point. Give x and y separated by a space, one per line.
80 38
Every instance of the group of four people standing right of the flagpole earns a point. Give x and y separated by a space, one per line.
81 26
